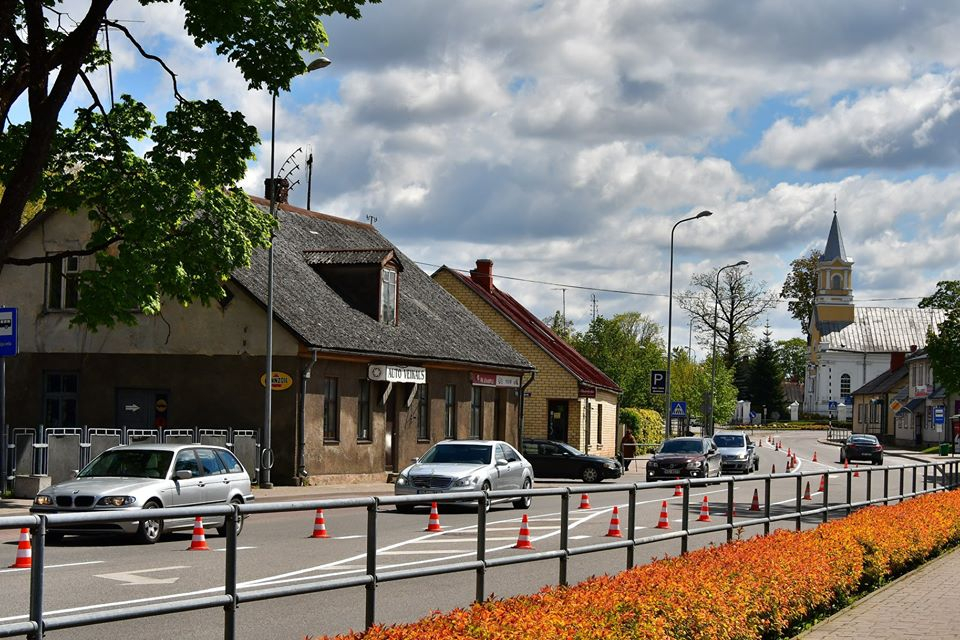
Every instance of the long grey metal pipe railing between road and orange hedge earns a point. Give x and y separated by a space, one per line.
936 476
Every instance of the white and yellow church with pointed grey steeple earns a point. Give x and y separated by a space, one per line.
850 345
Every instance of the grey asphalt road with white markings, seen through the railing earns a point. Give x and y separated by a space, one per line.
276 549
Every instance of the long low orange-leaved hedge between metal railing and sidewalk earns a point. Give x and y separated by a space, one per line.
762 587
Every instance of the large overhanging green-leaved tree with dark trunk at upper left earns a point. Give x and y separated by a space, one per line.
169 224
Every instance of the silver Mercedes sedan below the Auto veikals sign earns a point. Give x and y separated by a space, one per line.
455 466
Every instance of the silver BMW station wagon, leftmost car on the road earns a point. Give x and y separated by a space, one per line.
137 478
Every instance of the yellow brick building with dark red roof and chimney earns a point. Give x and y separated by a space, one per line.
569 399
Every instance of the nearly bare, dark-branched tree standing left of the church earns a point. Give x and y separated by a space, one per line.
739 303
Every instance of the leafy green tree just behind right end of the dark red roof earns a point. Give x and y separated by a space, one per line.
627 348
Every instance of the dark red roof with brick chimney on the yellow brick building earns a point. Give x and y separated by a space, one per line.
534 328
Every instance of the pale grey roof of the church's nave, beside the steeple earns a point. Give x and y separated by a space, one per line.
880 330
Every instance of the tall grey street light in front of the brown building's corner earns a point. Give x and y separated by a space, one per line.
273 185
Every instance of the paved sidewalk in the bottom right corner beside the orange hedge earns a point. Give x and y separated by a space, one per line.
916 605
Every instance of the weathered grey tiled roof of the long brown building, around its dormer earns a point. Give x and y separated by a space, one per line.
433 325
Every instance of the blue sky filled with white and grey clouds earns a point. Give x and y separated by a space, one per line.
563 139
